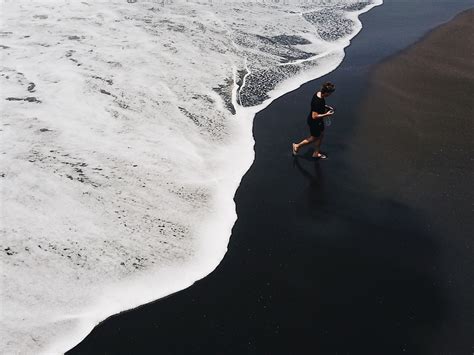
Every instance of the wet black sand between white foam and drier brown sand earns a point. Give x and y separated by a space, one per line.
324 259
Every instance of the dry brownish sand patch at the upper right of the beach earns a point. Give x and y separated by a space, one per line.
420 123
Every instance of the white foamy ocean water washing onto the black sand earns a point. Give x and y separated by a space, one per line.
126 129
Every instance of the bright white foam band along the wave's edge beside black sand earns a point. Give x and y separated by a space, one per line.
213 245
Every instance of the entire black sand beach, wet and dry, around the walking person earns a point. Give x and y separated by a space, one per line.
369 252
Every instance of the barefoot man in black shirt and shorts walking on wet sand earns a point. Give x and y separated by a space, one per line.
315 120
